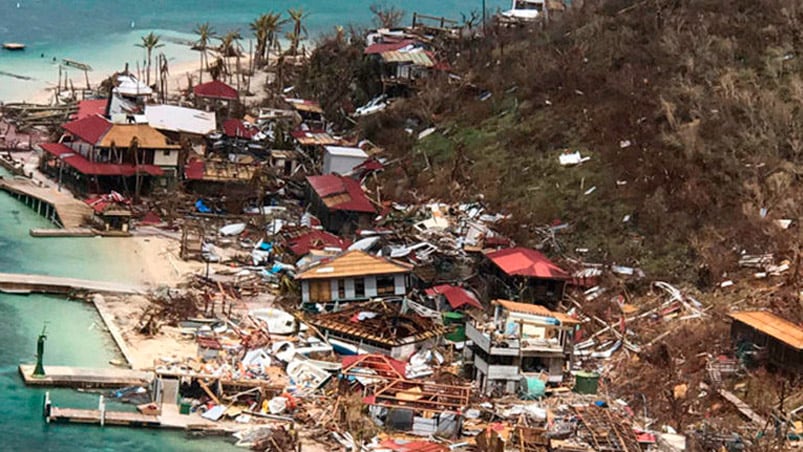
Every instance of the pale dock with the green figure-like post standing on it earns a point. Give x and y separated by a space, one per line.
81 377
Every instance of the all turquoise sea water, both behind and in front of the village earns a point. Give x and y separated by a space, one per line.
100 32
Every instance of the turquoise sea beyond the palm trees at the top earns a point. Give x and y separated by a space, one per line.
103 33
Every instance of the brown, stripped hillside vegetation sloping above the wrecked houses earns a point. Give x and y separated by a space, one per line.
689 110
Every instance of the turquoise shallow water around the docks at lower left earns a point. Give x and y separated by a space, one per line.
75 337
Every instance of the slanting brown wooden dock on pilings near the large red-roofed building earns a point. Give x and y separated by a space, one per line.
60 208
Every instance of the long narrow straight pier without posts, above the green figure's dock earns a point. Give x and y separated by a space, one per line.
25 283
